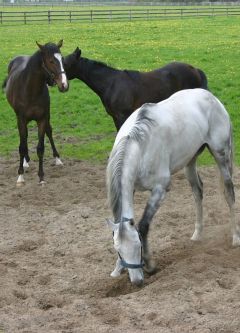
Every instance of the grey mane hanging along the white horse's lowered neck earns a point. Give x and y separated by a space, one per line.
114 178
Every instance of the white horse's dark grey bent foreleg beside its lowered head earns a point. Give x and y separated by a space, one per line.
157 196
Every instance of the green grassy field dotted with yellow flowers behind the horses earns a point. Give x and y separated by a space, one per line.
82 129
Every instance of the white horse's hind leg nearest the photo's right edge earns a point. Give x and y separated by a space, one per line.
224 161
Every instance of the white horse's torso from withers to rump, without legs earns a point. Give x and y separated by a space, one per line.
172 131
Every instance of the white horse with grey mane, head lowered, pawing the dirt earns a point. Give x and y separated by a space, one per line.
156 141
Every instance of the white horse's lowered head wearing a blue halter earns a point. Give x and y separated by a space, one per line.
128 245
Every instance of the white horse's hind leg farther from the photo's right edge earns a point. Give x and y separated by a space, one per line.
197 188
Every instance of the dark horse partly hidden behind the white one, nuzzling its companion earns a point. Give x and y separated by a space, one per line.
123 91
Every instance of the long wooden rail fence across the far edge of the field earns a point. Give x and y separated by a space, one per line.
51 16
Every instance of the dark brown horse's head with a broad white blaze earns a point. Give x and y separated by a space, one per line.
52 62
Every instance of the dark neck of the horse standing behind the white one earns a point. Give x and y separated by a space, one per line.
97 76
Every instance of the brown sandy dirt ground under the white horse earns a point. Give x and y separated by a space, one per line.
56 255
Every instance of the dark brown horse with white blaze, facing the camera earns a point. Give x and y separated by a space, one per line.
27 93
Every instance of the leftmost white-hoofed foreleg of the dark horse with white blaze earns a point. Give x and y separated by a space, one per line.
23 149
